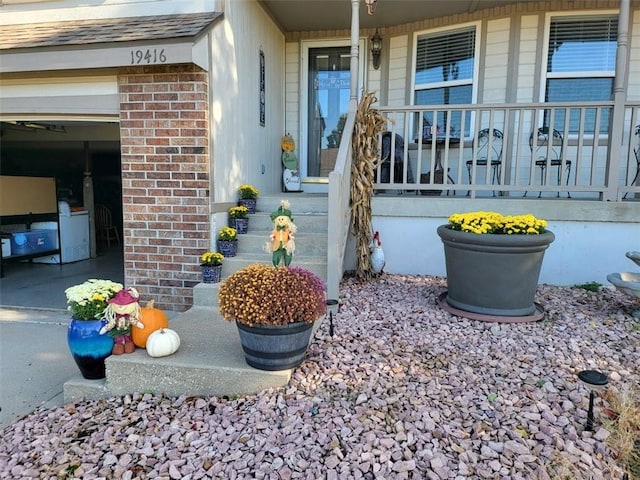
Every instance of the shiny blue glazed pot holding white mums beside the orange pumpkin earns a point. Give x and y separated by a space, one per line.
88 347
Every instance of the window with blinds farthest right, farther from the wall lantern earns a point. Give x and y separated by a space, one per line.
581 65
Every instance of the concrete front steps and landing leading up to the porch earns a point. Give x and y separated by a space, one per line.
210 361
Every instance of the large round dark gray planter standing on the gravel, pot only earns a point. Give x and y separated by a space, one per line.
493 275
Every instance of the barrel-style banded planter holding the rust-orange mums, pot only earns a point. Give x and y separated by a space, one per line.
275 347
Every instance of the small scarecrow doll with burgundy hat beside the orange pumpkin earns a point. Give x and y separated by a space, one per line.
122 312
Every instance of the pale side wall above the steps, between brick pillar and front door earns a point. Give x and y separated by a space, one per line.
242 150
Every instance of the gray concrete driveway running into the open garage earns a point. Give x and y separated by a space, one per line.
34 358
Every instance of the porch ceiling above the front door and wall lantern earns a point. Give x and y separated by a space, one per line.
303 15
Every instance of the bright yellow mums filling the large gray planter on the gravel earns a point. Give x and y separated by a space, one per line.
494 223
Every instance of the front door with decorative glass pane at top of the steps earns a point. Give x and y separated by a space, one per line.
328 89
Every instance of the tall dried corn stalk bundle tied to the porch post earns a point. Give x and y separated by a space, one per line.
368 125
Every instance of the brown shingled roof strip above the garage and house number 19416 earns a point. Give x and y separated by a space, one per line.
83 32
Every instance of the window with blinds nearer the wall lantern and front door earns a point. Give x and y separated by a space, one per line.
445 69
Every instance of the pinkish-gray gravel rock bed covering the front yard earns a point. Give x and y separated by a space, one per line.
402 390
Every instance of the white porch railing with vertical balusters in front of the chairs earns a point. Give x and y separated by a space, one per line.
444 139
